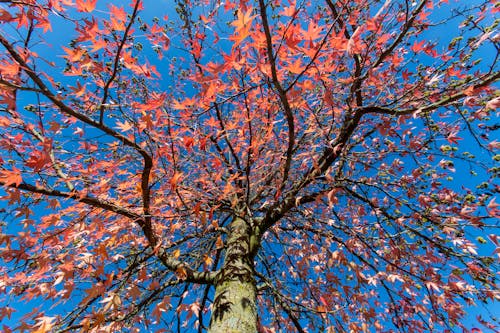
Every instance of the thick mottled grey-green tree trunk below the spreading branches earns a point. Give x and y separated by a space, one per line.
234 309
